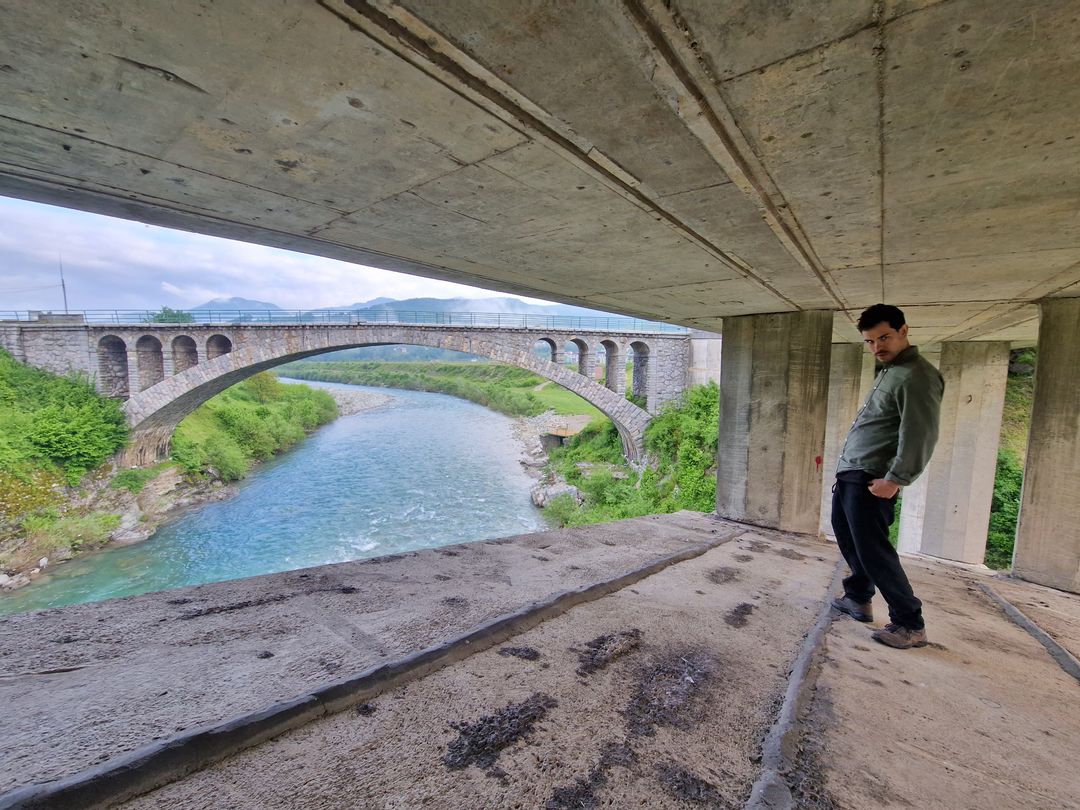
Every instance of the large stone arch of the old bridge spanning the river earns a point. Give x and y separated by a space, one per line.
154 414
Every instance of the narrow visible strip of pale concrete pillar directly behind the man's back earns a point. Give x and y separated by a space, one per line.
850 379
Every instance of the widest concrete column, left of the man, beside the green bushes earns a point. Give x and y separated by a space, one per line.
774 395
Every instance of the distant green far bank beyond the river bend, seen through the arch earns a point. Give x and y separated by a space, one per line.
507 389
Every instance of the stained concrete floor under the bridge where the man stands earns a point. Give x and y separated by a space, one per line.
664 693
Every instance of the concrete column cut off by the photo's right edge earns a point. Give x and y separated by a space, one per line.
1048 536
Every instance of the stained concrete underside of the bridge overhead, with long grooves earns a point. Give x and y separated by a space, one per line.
682 160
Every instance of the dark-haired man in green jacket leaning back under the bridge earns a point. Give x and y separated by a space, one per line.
888 447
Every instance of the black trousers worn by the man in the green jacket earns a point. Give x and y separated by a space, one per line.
861 522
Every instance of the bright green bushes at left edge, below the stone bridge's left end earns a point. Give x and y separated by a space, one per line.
53 425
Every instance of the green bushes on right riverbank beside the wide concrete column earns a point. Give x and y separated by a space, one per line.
682 445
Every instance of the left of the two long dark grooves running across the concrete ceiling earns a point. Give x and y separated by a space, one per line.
447 63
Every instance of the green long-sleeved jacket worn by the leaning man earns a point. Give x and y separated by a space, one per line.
897 429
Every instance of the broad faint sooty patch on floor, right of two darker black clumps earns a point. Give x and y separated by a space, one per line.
667 692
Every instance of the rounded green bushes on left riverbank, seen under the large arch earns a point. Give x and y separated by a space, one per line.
249 423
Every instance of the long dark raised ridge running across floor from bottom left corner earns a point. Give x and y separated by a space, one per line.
160 763
